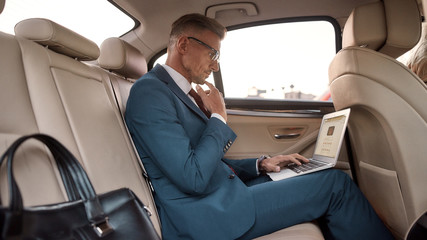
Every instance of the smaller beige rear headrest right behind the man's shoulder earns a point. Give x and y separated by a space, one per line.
120 57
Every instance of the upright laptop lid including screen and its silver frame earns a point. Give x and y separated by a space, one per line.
331 135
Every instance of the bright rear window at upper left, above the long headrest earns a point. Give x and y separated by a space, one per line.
97 20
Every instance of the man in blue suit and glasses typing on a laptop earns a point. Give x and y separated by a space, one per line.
182 136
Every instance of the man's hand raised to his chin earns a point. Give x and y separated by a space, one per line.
213 100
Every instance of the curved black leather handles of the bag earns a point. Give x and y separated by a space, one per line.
75 179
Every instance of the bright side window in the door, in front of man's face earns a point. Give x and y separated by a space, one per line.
278 61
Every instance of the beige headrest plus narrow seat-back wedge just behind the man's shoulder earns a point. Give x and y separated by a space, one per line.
126 62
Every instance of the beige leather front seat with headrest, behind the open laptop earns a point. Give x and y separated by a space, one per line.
387 127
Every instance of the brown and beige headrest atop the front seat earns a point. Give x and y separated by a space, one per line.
391 27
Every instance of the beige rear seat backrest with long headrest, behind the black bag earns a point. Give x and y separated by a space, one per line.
54 93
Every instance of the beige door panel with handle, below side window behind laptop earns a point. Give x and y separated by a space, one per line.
266 133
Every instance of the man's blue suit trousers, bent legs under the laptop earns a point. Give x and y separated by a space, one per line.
329 196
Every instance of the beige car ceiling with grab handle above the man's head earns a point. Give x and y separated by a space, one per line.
155 17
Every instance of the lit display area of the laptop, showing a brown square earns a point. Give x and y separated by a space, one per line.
329 139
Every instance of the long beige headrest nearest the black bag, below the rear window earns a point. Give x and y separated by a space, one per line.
58 38
